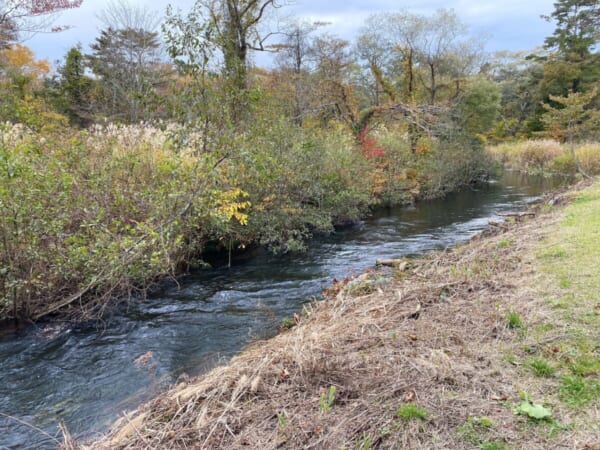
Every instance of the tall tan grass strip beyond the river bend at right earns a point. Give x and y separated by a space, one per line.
545 156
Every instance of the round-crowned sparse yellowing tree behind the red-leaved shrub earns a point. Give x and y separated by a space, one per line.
420 63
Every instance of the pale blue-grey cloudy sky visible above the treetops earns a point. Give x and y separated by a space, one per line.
509 24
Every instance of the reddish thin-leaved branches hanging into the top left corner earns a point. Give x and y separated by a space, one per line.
18 16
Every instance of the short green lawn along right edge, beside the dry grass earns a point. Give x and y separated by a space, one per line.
570 259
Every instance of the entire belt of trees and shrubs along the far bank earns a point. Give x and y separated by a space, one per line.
119 168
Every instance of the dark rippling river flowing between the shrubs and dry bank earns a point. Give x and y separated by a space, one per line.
87 375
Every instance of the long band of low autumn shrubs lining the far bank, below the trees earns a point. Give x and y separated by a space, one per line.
88 218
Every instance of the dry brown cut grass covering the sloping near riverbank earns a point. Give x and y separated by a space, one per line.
432 357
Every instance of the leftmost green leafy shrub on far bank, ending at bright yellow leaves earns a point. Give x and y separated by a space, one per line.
98 214
